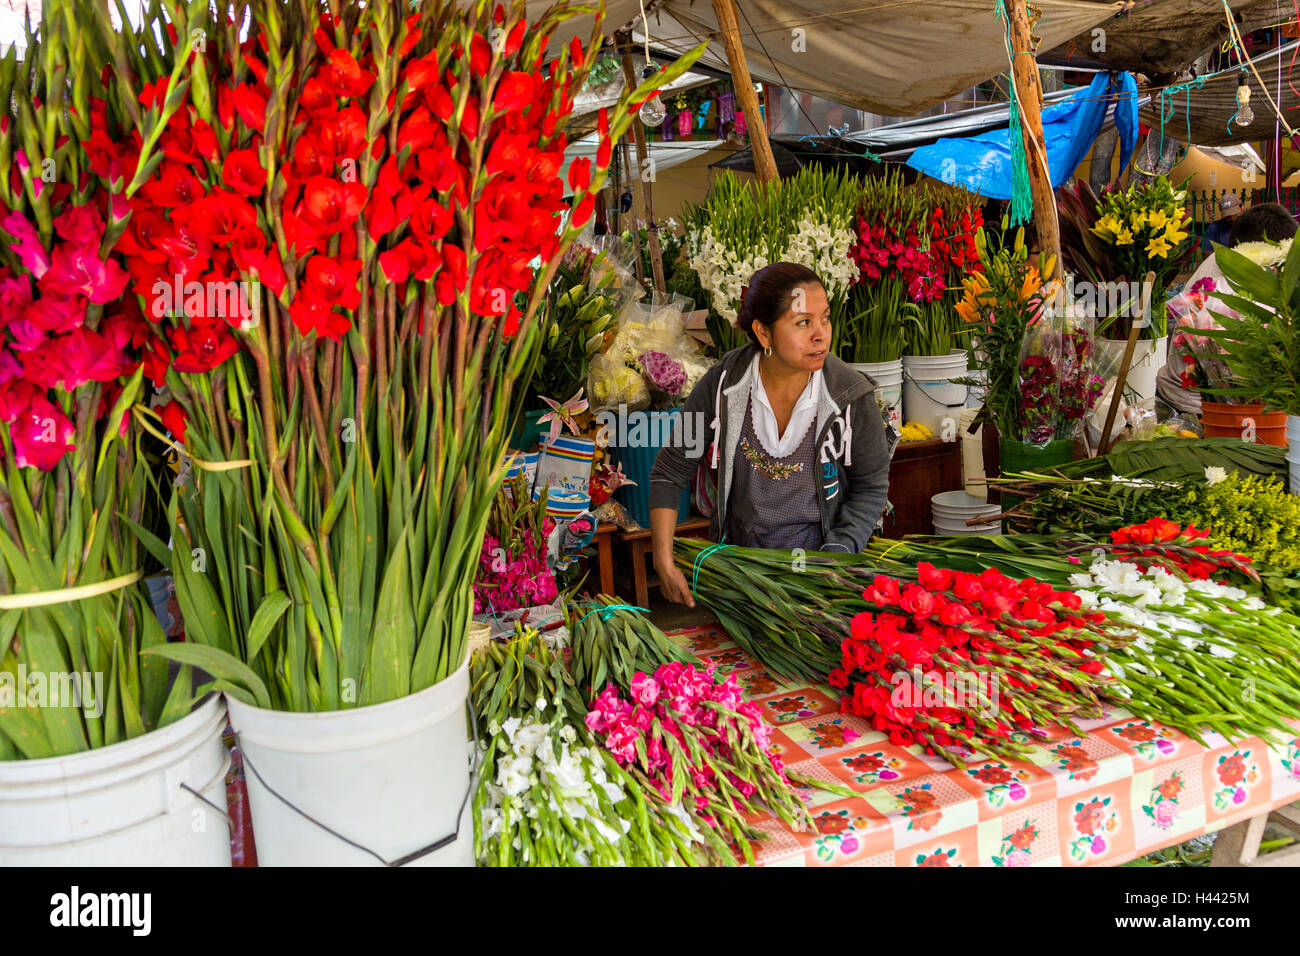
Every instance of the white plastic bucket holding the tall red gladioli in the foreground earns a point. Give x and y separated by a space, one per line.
391 777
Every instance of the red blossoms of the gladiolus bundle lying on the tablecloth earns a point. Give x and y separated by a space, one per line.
965 661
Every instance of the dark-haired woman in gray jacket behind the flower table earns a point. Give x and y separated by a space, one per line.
799 444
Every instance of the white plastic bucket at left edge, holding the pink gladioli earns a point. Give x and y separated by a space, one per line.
124 804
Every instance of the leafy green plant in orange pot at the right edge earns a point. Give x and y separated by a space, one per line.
1259 345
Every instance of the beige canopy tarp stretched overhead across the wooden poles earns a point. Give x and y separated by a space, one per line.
883 57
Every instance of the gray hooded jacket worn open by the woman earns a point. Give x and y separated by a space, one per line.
853 448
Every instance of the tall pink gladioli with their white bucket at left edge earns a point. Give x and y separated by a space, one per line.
102 762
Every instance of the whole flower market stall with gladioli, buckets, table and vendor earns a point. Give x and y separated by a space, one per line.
341 440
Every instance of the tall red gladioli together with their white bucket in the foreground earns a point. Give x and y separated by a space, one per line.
380 183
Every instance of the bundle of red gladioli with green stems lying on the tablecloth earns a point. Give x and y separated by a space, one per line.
1026 655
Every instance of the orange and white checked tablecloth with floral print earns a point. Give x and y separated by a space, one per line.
1125 789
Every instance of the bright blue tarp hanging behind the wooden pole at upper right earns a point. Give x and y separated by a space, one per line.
983 163
